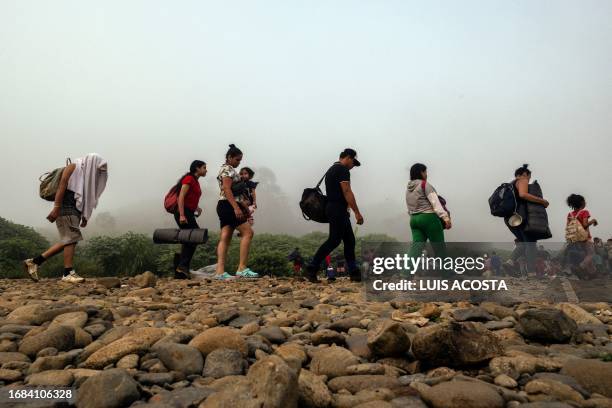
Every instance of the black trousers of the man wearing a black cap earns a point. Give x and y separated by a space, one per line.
340 230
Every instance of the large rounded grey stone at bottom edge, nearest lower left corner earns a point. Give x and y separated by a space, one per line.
110 389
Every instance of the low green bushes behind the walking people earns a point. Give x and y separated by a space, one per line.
131 253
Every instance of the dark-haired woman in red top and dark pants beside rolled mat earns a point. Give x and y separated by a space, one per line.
188 208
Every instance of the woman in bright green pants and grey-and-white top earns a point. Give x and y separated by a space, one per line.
428 218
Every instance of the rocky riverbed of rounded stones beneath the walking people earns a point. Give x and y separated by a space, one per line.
150 342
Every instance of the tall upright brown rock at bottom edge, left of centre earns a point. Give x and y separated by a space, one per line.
274 383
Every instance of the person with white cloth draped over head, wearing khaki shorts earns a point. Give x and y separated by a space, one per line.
79 190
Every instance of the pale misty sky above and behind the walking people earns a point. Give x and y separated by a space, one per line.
471 88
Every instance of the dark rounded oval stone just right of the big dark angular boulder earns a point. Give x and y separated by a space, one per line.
547 325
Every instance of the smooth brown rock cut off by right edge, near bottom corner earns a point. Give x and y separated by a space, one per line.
594 375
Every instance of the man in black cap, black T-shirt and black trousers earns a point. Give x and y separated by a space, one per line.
340 198
